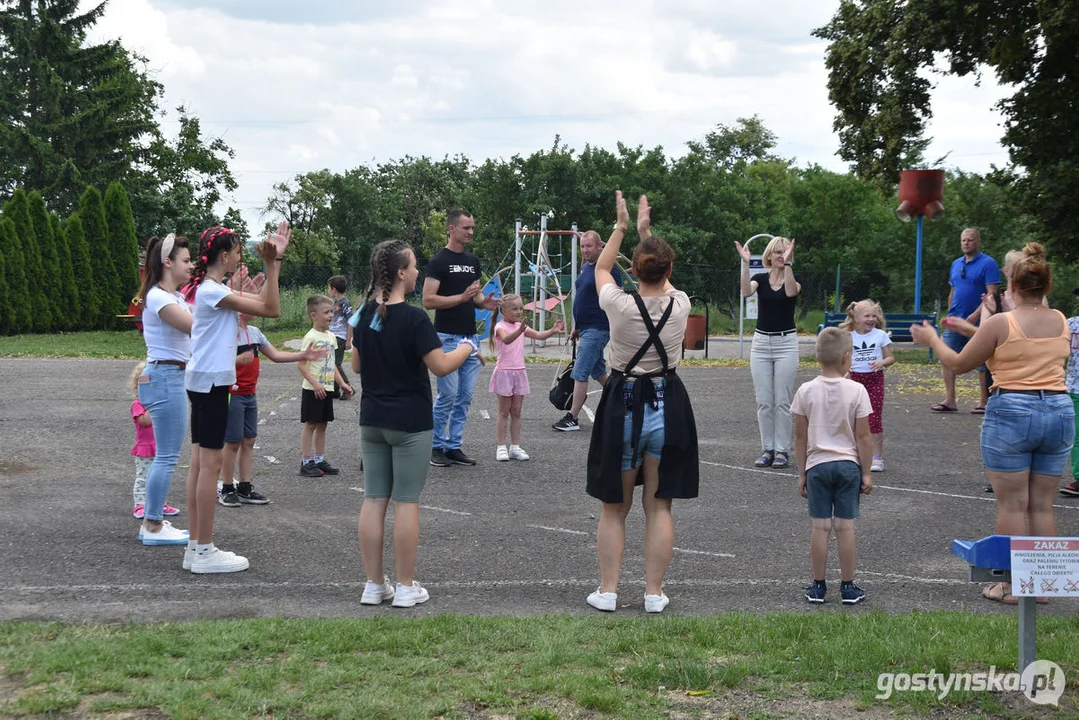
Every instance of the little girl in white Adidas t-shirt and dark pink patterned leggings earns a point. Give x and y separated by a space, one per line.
870 357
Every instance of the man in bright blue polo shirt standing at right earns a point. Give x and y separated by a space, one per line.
973 276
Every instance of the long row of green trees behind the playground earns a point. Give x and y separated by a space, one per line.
729 186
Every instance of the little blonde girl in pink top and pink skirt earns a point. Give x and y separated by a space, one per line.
510 381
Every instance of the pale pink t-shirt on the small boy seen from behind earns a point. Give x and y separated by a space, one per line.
832 406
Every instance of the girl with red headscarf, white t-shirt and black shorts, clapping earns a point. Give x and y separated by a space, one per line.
213 372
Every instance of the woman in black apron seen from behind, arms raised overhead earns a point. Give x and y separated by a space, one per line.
645 432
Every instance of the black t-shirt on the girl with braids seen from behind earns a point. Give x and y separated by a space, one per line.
397 388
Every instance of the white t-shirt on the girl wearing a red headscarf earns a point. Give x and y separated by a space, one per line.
213 339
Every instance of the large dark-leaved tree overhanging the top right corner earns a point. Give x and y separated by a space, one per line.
878 59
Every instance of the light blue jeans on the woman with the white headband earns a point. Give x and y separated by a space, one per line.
167 400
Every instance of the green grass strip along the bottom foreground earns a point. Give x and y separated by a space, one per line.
732 667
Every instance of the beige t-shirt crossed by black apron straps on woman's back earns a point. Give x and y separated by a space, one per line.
629 332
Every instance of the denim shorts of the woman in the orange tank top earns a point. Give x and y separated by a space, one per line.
1029 433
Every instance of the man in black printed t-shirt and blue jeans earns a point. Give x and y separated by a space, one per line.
453 289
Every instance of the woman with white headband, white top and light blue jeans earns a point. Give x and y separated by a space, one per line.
167 324
